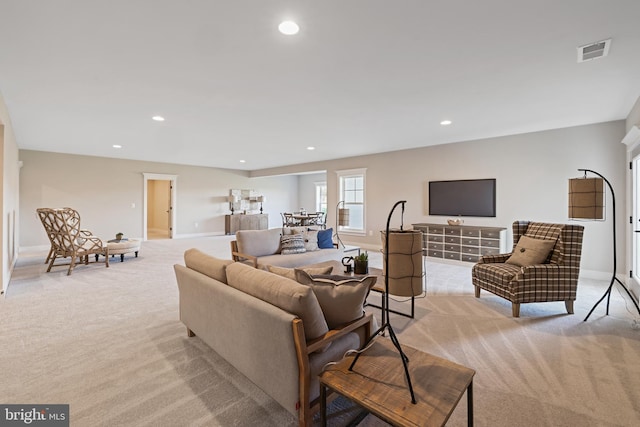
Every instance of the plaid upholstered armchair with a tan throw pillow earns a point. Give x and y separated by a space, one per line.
555 278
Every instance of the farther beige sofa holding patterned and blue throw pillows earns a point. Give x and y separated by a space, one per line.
262 247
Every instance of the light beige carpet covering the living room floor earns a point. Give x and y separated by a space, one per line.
109 343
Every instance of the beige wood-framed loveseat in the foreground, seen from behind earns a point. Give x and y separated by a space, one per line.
269 327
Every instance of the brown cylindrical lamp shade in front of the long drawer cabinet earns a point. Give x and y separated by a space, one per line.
405 262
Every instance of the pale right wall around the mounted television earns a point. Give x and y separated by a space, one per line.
532 172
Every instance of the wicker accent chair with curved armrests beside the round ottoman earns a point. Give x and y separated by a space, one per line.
68 240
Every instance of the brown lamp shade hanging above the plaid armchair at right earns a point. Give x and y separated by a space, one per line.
586 198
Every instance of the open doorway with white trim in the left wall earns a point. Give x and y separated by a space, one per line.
159 206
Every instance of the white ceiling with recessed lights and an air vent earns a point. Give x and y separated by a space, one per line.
362 76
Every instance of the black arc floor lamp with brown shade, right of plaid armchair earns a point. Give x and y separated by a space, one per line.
586 201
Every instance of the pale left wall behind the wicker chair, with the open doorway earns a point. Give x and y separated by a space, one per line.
103 191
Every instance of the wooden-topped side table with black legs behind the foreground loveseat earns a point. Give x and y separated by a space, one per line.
378 384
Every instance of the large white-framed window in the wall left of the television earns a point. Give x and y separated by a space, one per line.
351 188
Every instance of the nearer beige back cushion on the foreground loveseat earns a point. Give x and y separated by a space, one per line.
284 293
